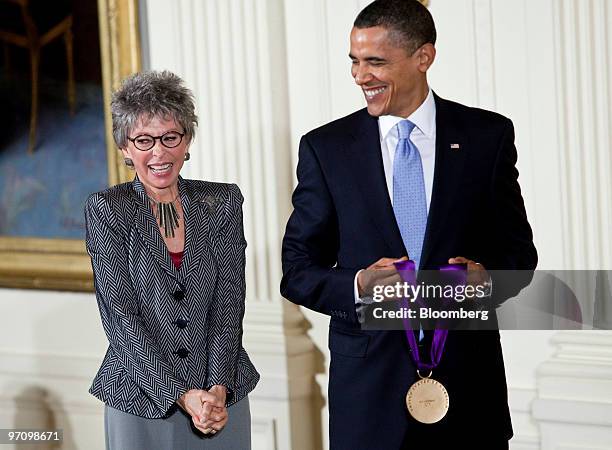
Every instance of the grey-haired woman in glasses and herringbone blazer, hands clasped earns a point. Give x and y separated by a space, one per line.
168 261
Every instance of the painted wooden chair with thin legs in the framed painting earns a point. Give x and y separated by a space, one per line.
32 25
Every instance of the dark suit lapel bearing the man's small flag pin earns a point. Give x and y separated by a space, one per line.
451 148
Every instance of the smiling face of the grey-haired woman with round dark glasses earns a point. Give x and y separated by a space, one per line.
158 169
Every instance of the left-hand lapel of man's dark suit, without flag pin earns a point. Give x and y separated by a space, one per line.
366 155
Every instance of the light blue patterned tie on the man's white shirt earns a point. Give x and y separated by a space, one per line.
409 201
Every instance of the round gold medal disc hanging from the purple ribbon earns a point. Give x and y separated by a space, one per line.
427 401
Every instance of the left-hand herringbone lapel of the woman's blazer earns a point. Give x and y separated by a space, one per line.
146 224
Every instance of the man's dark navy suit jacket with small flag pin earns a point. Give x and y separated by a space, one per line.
343 221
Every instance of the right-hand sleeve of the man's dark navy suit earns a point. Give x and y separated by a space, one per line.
515 255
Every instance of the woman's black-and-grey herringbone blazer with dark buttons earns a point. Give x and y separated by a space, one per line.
169 330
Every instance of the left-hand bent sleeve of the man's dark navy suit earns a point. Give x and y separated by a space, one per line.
311 277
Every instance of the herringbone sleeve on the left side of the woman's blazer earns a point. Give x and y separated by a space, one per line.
137 350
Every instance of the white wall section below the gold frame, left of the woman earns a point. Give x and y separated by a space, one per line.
51 345
